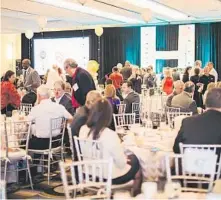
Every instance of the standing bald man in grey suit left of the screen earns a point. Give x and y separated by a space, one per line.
31 77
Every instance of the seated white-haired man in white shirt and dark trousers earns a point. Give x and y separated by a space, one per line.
42 114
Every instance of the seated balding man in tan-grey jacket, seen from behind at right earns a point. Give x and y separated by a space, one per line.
184 100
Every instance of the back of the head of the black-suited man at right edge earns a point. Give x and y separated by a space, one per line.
213 99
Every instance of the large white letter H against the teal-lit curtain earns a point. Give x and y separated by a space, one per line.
186 47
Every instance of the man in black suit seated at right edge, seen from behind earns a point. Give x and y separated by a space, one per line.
204 128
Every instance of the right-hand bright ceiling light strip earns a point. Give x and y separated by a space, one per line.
159 8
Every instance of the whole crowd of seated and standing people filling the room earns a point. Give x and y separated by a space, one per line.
90 112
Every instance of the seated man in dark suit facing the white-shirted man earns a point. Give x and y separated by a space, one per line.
63 98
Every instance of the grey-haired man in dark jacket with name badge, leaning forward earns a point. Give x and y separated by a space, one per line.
82 82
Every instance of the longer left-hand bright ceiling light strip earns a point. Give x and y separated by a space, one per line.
90 11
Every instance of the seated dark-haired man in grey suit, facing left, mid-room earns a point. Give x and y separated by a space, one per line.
130 96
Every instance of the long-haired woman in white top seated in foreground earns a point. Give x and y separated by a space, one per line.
124 169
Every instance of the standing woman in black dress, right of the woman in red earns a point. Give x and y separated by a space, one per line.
195 79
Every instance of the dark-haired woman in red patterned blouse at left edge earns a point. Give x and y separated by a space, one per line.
10 99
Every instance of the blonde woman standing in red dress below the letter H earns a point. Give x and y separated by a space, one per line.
167 82
